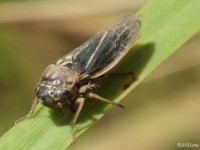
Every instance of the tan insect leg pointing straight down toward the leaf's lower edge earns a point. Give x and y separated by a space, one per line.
79 103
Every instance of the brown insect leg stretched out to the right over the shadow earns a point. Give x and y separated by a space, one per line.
95 96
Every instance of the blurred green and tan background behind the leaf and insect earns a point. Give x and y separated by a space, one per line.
160 113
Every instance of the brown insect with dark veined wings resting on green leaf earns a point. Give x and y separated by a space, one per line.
67 82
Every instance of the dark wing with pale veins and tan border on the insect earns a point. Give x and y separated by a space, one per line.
103 51
